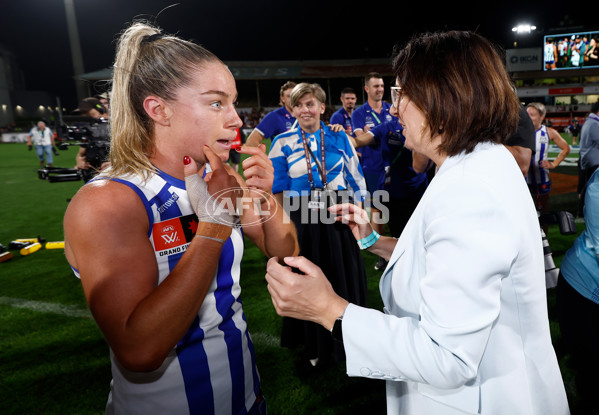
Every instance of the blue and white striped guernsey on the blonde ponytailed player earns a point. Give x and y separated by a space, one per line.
212 369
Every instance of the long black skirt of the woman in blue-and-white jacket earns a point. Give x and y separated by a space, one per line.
334 249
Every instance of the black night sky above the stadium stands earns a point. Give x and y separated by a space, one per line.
36 30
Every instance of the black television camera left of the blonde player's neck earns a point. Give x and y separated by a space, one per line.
85 132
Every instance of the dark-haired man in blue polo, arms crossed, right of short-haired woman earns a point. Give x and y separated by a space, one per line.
374 112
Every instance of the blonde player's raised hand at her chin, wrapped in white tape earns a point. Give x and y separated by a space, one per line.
214 197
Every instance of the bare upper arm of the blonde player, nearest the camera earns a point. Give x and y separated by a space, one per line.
106 231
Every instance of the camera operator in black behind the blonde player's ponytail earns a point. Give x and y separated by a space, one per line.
87 159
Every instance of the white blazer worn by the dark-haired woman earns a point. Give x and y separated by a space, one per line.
465 326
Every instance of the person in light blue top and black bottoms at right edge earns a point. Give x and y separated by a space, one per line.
578 303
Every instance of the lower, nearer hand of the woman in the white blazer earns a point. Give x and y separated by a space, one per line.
308 296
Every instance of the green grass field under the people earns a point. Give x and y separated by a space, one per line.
53 359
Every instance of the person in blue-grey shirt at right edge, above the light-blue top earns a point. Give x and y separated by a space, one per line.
589 152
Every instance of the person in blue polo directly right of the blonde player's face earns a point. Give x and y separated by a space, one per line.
275 122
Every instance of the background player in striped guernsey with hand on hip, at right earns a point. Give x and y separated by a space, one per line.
538 179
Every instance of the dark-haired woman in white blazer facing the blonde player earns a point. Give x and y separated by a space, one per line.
465 326
